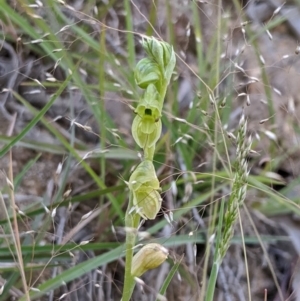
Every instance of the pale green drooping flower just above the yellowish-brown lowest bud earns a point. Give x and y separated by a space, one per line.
145 186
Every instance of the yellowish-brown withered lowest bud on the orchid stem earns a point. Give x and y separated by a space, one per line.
147 258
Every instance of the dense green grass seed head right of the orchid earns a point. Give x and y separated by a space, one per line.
239 187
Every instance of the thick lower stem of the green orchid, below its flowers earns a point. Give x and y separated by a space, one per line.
131 222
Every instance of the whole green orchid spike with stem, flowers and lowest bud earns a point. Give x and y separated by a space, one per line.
152 74
